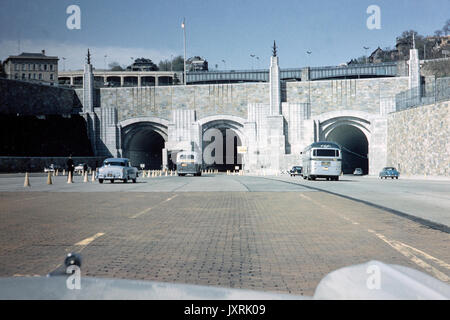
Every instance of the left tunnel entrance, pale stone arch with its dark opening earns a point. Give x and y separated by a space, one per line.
143 141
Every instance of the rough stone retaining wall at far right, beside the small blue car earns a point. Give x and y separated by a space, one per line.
419 140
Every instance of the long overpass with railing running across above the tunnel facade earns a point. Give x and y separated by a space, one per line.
158 78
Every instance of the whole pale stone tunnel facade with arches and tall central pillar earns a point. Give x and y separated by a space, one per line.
275 121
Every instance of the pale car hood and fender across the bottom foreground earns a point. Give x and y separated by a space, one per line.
371 280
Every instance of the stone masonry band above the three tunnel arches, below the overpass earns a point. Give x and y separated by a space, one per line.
232 99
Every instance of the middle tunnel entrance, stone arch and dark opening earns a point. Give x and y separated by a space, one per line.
221 137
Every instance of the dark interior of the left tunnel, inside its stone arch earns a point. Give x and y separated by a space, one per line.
145 146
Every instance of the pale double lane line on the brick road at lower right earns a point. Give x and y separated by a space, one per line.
406 251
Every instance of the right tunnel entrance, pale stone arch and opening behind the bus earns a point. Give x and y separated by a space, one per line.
351 131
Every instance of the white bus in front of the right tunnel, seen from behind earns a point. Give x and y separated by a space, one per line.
322 159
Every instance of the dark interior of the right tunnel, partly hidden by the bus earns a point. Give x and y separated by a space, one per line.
355 147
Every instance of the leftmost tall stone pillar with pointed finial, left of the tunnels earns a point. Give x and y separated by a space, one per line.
88 102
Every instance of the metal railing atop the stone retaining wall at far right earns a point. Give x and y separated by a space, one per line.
436 91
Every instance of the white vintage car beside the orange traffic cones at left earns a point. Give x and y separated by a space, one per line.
117 169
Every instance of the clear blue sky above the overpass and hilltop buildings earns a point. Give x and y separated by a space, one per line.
334 31
